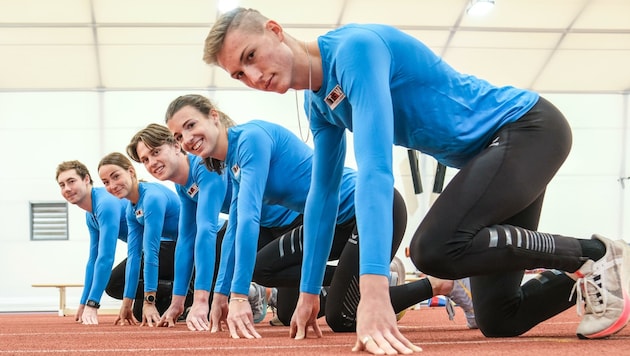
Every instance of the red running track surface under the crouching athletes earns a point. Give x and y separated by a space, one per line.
49 334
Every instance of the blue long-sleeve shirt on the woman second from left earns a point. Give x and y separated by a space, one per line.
153 218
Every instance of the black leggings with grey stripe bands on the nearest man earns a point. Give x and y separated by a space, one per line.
484 225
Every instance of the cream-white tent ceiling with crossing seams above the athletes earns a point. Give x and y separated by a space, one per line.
545 45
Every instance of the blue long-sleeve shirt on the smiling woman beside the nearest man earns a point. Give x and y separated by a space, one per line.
268 164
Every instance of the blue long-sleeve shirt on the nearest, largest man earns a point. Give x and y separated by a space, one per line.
397 92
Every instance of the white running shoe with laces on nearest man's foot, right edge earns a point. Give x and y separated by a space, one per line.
603 291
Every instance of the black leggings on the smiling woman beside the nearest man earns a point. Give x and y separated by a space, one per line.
279 265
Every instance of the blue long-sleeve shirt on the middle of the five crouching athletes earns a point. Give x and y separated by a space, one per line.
203 197
